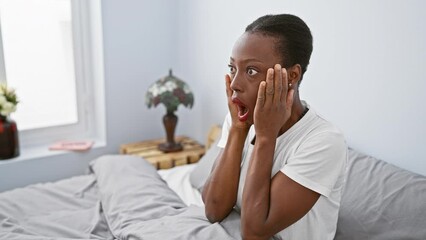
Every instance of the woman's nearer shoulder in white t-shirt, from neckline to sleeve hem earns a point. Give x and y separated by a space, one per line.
315 155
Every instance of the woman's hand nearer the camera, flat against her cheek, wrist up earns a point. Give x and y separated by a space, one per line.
274 103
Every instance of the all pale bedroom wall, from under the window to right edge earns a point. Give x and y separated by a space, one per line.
365 74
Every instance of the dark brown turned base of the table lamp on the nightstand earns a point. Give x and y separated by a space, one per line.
170 122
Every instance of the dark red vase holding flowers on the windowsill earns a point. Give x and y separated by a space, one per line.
9 144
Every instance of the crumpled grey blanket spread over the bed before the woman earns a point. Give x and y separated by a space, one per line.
123 198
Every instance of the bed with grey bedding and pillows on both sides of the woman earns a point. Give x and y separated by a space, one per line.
124 197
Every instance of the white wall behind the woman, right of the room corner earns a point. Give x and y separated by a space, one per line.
366 73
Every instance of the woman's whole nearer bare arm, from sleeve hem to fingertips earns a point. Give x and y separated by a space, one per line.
270 205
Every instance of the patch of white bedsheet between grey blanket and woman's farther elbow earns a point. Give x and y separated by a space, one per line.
177 179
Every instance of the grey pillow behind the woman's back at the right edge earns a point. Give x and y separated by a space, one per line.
381 201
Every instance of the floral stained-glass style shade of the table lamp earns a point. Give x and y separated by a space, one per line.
171 92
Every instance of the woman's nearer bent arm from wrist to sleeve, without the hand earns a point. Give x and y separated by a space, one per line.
270 205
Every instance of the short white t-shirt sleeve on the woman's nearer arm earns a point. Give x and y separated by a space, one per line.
318 162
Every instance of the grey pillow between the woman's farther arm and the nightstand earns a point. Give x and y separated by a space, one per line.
201 172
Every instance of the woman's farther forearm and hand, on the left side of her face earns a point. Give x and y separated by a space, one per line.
221 188
